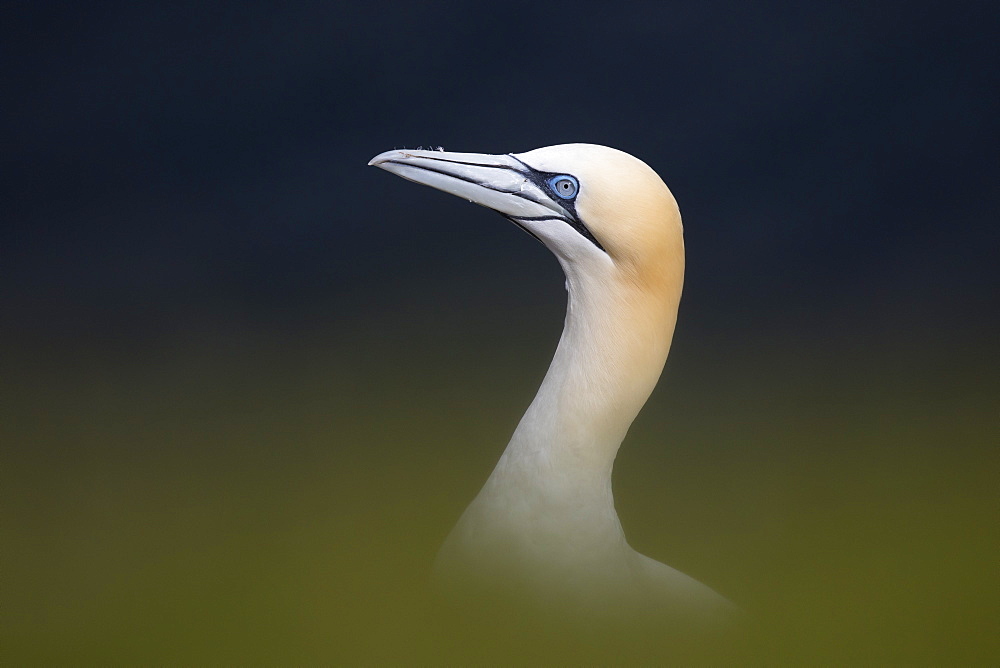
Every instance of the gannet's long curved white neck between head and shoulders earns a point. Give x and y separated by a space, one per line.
613 346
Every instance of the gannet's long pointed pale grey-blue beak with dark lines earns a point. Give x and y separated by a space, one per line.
501 182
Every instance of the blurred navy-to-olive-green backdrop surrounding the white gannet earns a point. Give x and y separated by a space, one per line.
248 382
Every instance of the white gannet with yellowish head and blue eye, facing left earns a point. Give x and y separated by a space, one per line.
545 522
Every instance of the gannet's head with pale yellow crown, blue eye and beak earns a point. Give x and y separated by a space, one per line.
588 204
